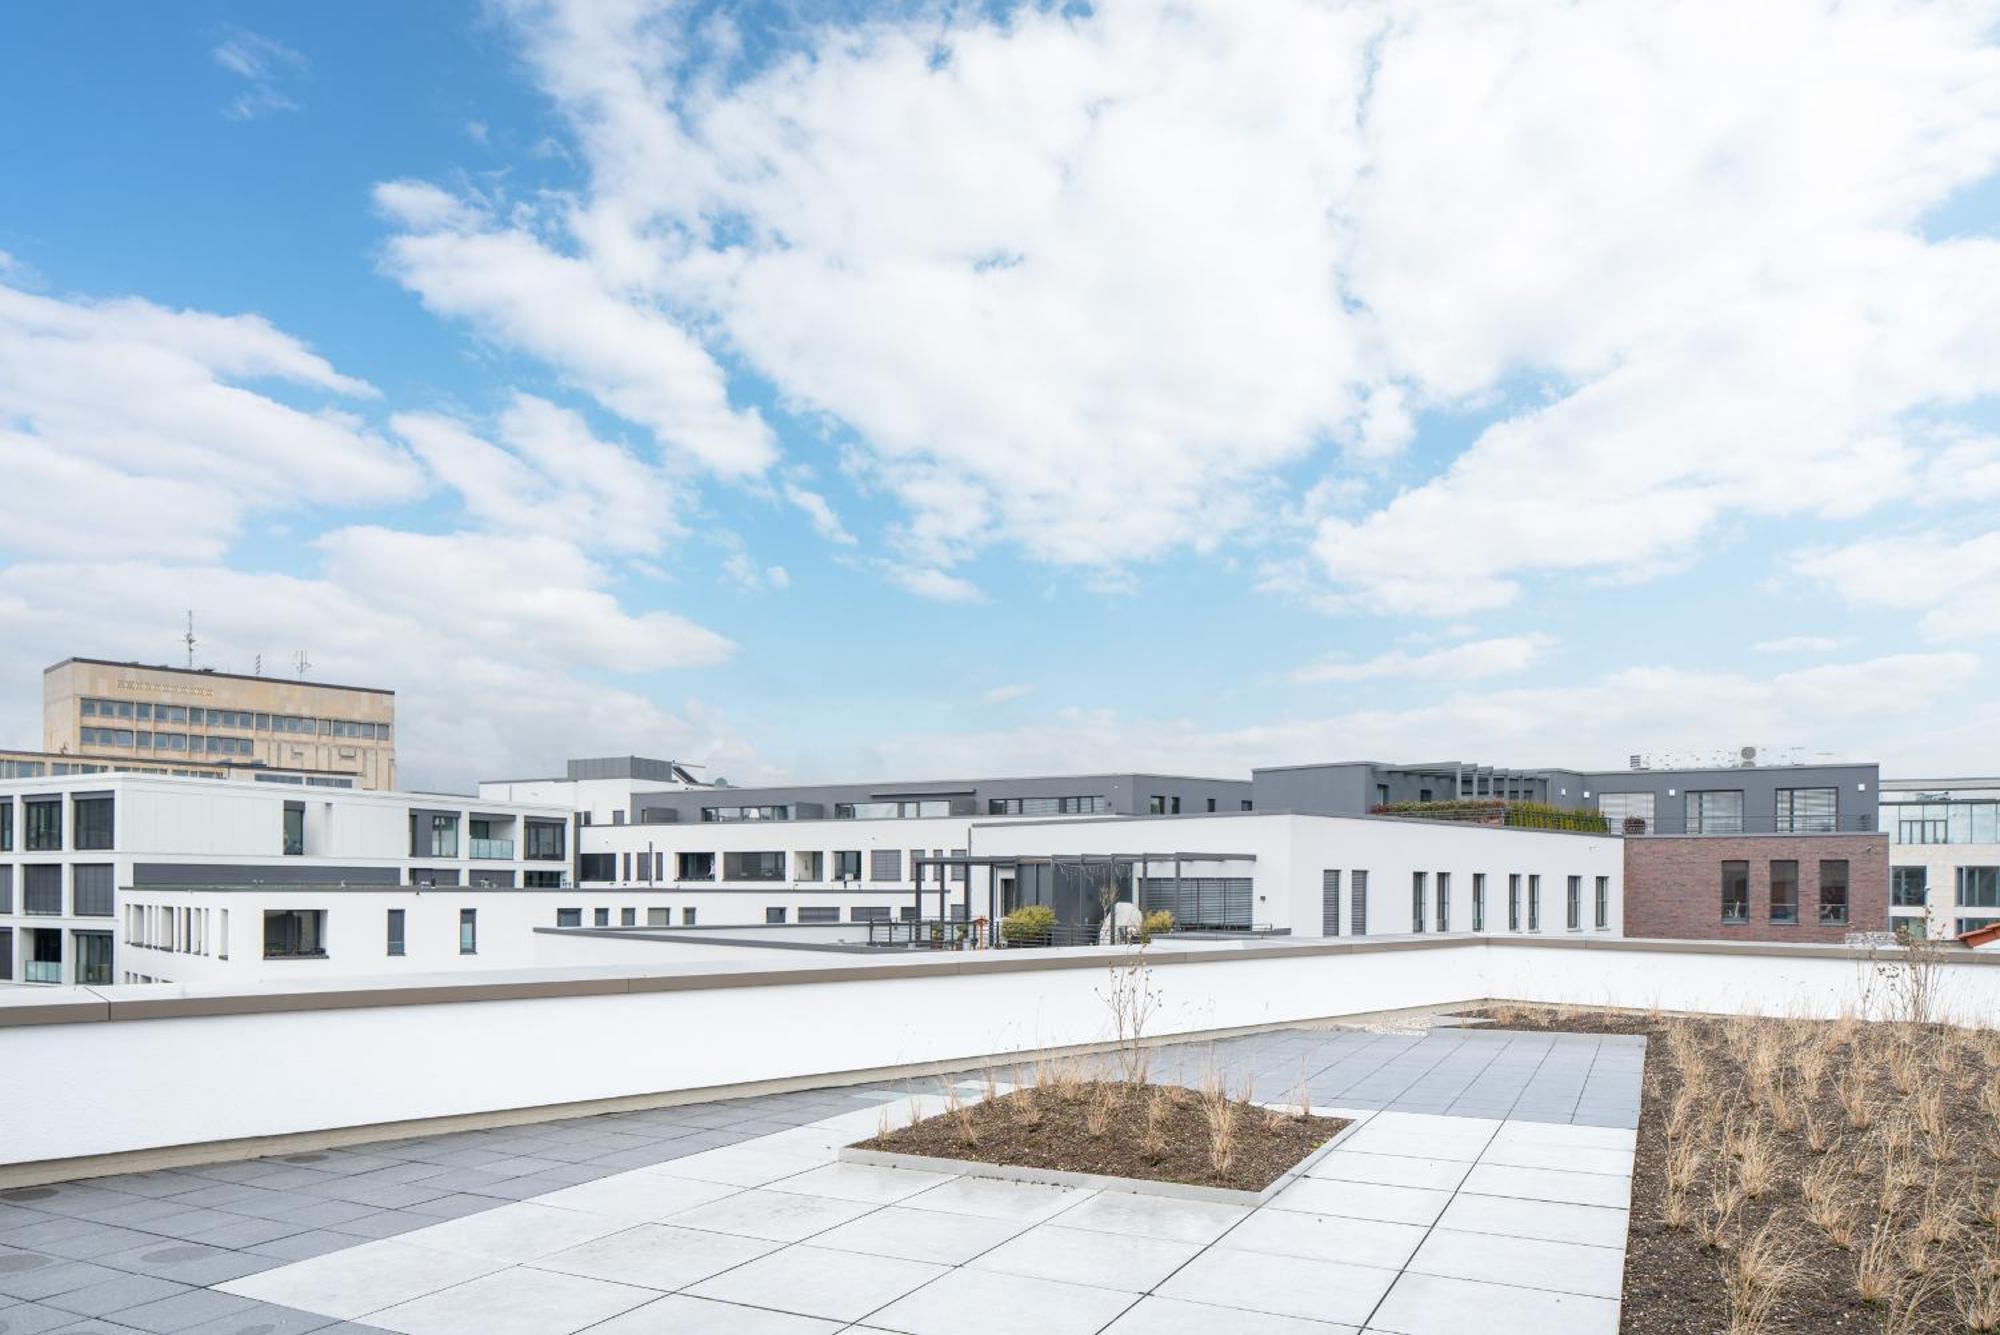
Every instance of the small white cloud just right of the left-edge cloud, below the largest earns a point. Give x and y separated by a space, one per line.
551 475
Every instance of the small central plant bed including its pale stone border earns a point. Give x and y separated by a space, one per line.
1157 1140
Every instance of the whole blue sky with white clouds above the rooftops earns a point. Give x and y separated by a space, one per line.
923 391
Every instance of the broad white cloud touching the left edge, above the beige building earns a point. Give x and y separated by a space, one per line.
135 431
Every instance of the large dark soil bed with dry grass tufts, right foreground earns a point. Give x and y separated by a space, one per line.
1675 1282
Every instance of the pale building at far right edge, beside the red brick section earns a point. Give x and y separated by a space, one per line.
1943 854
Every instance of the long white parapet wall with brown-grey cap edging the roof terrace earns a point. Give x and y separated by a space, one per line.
123 1076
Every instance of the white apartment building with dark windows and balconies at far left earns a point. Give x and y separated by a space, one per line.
135 878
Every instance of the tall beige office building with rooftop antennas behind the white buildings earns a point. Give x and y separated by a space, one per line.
219 722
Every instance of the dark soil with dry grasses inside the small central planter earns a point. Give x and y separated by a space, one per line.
1103 1128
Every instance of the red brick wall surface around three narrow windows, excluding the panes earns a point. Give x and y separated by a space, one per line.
1675 886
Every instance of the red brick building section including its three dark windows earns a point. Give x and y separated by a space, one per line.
1757 886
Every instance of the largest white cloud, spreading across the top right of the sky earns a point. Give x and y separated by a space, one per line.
1097 285
